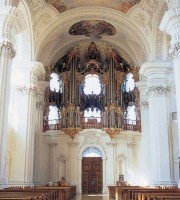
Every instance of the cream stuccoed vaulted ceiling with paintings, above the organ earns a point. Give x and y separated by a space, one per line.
129 26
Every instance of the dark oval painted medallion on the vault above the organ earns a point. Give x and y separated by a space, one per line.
92 28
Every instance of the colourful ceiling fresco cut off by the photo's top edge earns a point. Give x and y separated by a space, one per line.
120 5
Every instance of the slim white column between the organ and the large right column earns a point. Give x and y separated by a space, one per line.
144 163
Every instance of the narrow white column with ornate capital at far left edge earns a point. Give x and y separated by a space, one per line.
6 54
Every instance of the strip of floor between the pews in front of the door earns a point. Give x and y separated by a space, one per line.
91 197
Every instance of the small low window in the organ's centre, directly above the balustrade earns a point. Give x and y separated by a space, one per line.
95 113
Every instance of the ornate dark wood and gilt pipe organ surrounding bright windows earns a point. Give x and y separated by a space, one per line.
112 101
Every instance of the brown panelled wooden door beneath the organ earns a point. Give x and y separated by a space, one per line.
92 175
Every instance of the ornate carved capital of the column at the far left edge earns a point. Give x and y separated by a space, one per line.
6 48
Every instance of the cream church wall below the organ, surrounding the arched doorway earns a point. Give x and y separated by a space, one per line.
119 155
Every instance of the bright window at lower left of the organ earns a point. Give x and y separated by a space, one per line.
53 117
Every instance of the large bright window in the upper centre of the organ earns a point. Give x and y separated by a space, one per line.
92 84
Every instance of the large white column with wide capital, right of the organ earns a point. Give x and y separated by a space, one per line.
159 122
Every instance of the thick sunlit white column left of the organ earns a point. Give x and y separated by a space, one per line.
23 125
